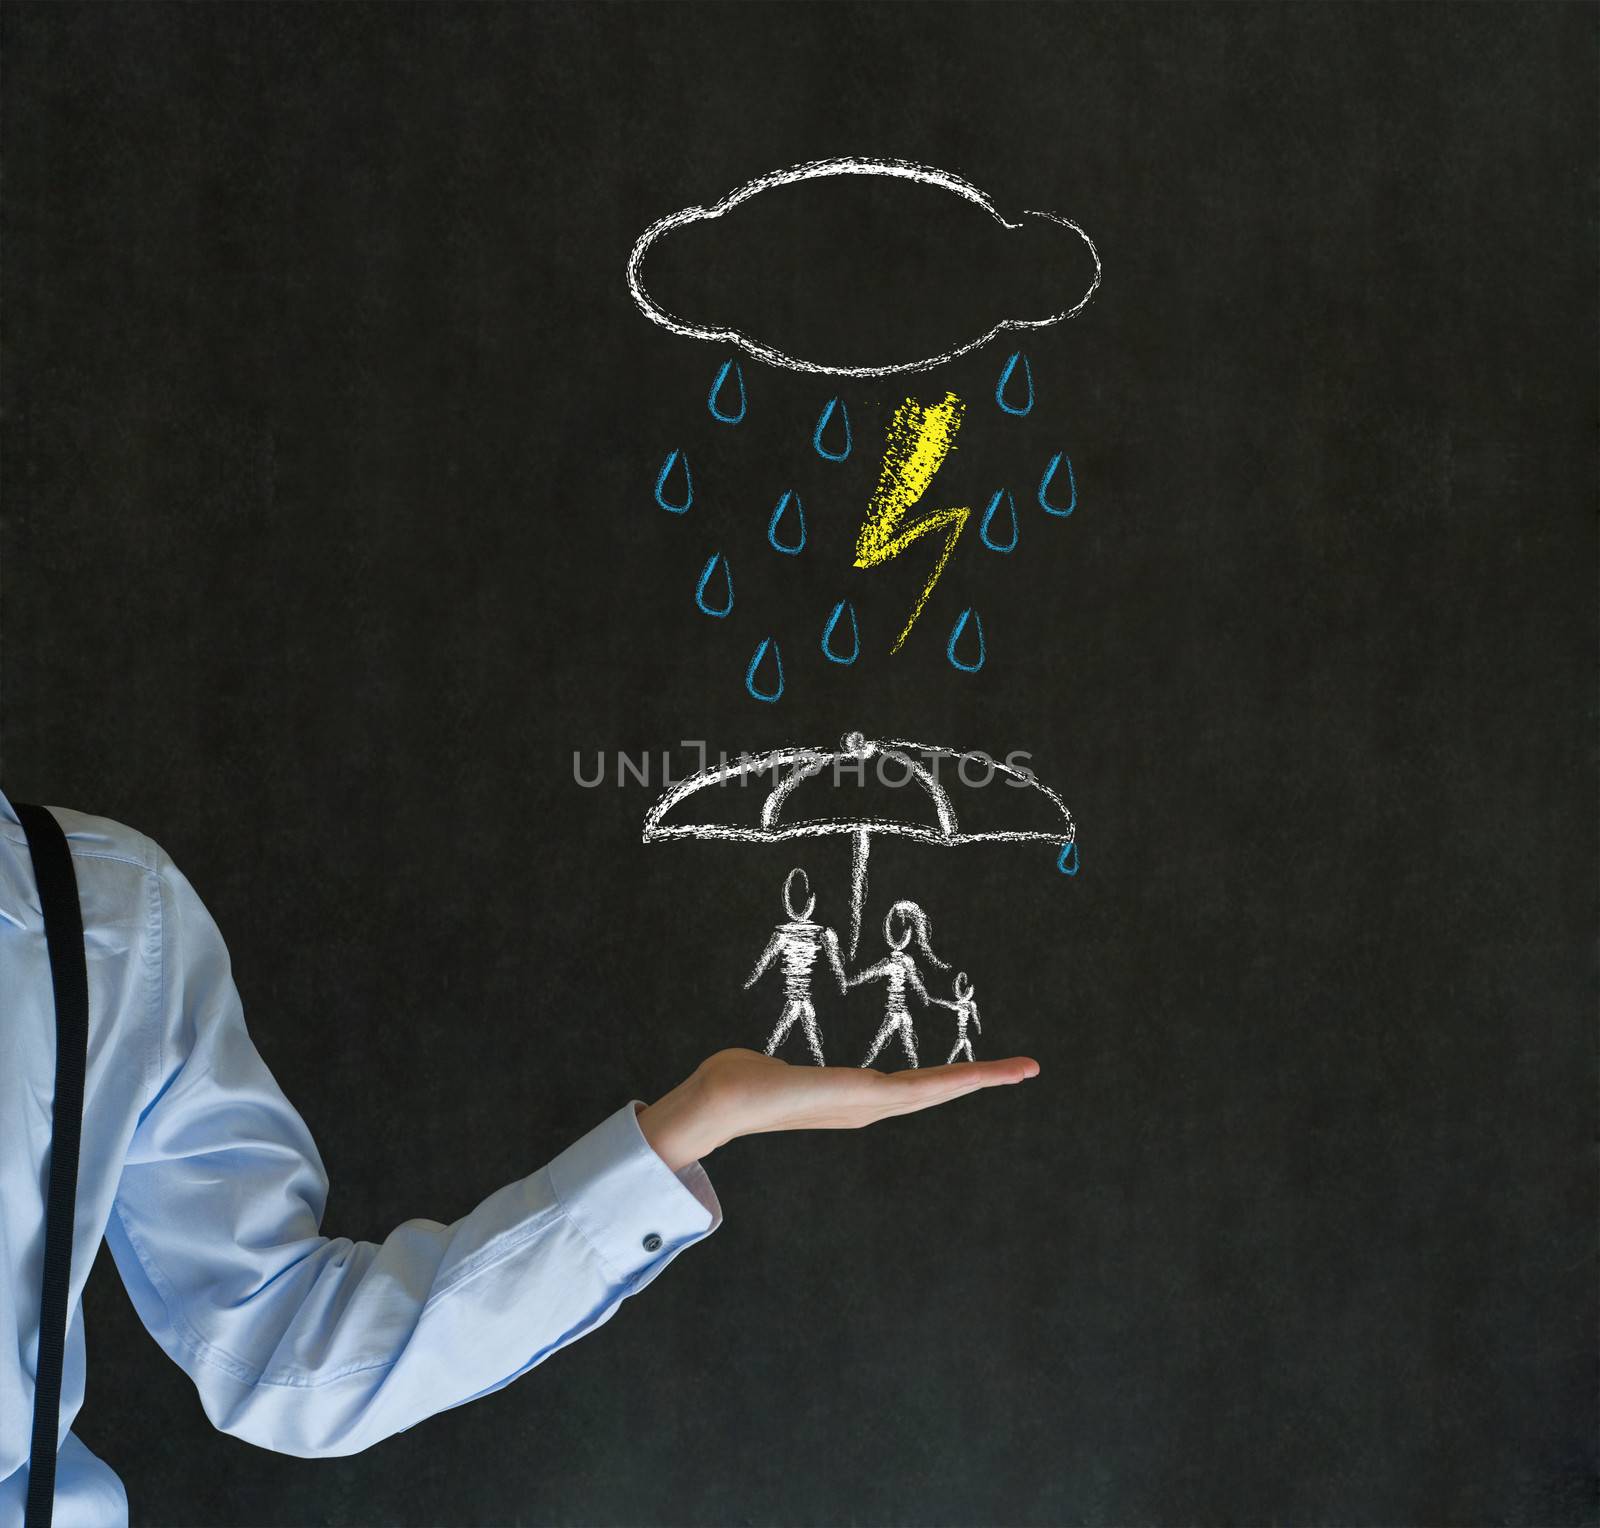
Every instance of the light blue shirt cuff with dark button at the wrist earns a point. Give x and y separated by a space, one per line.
631 1207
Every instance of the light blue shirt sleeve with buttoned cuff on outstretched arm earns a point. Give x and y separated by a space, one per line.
310 1345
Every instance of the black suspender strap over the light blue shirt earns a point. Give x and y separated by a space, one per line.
58 894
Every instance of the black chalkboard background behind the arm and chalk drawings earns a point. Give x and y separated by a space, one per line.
329 542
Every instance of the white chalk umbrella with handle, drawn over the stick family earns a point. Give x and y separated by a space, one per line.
782 815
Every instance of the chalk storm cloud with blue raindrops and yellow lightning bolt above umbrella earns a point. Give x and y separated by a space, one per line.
918 441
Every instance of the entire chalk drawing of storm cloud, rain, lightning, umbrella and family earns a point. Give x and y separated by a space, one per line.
902 516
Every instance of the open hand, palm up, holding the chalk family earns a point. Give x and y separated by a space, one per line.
745 1094
